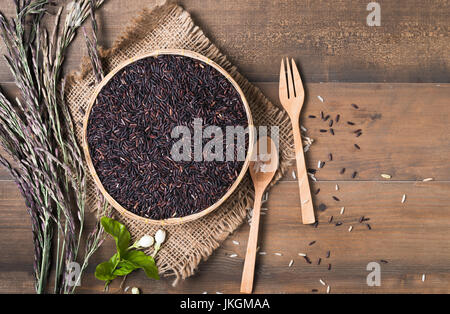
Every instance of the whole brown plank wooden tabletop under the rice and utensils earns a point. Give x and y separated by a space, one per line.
397 73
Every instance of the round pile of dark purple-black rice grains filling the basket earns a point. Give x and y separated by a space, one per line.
129 135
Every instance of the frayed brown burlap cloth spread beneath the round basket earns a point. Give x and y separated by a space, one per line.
169 26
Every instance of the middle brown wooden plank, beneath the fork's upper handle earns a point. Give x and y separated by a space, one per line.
405 129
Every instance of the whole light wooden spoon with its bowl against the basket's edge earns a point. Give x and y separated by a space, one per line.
262 169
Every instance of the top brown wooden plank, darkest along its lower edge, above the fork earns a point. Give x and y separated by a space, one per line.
330 39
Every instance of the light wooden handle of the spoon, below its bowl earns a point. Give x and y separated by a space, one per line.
250 257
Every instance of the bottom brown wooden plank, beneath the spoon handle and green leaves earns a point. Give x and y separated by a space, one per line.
412 237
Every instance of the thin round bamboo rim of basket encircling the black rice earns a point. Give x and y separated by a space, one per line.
176 220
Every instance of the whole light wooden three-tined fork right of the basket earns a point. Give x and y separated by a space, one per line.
292 95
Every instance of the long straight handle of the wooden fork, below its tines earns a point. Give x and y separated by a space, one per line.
302 177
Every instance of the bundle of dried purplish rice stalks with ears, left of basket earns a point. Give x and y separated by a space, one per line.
36 131
